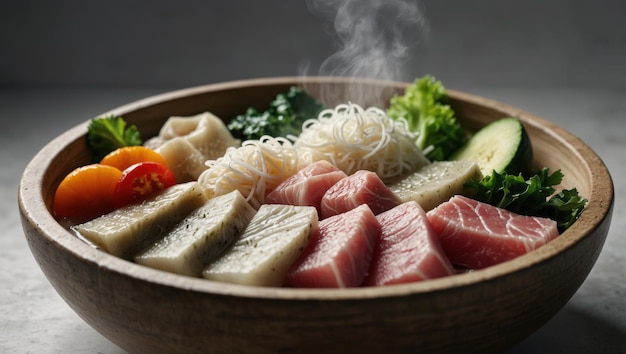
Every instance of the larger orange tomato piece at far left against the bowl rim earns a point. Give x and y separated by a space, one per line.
87 192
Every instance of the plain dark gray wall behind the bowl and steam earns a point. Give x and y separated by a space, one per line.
165 44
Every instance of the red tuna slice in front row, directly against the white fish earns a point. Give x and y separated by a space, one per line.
340 252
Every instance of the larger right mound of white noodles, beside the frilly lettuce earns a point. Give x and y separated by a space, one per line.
355 139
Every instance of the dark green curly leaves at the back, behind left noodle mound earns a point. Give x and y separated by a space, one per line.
285 116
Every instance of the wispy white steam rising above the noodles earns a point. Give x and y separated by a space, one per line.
375 38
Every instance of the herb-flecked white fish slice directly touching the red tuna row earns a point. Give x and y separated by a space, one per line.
271 243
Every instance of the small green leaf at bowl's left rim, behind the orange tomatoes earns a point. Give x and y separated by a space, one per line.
106 134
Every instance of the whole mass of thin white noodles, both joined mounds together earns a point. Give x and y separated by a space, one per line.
348 136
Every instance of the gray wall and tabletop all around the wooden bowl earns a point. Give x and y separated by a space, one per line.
63 62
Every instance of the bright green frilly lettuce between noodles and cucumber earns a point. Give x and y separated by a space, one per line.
425 106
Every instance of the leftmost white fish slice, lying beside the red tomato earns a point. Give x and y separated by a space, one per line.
126 231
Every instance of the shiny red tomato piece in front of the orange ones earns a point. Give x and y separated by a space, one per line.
140 181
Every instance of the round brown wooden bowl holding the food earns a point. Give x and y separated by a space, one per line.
146 311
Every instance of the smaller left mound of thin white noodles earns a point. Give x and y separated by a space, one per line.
254 168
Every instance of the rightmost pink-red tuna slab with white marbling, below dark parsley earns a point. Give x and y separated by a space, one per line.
477 235
